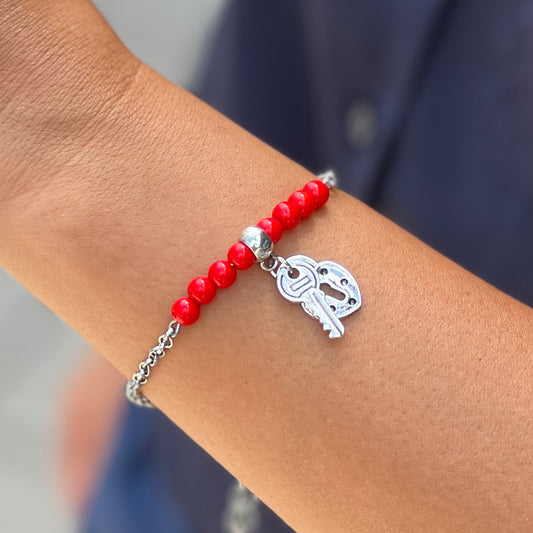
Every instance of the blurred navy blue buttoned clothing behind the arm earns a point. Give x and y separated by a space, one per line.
424 109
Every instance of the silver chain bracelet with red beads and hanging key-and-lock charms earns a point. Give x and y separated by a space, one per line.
325 290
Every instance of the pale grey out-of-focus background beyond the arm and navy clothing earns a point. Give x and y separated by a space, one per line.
37 350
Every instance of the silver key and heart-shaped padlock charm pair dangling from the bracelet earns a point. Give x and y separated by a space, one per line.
303 280
